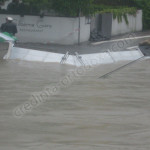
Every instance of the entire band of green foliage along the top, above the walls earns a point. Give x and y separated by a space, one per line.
71 8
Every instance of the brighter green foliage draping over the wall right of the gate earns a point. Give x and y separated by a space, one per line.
119 13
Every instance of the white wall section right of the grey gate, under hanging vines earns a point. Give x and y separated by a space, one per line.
135 24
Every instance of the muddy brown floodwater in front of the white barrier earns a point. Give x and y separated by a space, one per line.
110 113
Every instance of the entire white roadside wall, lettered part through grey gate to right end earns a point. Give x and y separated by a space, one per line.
63 30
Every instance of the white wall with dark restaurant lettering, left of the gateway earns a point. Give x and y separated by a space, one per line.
58 30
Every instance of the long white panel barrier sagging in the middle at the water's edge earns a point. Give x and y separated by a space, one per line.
76 60
